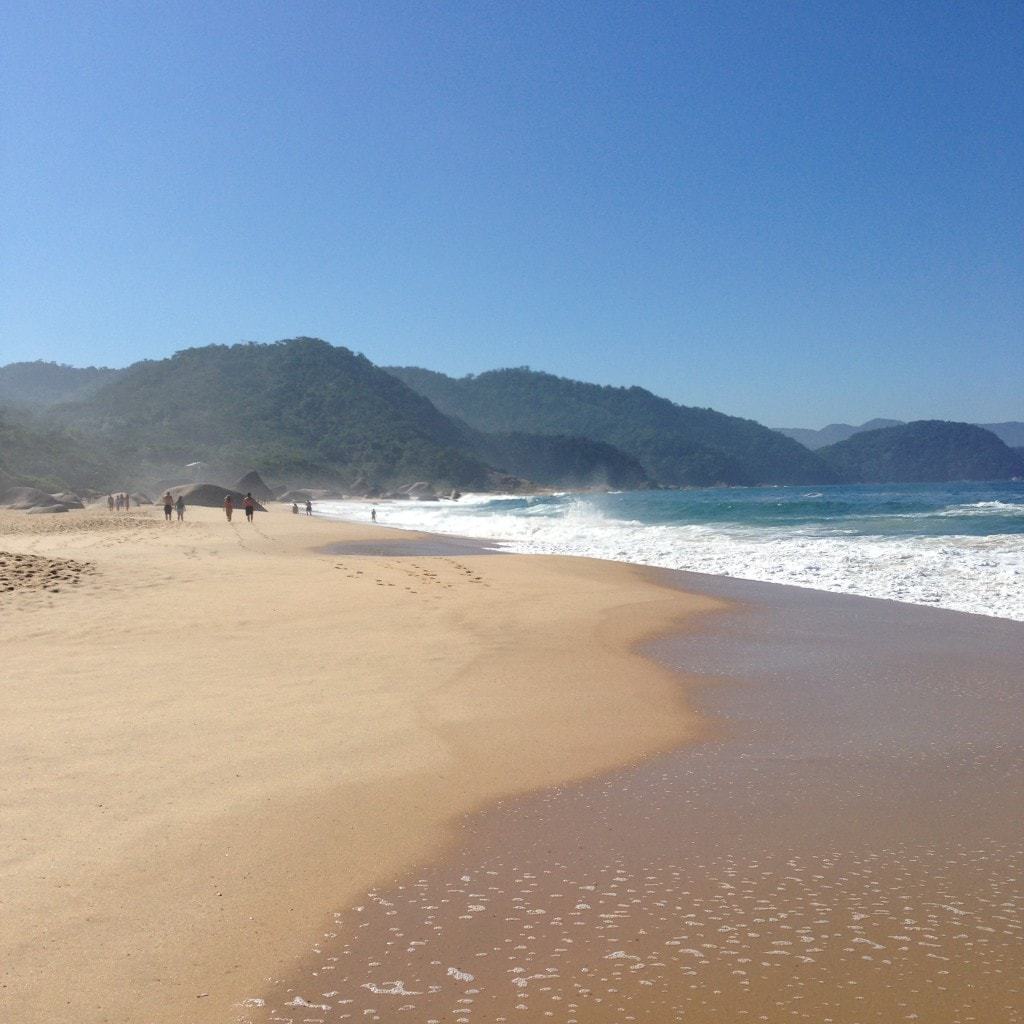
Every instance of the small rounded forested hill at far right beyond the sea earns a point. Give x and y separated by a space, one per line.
924 452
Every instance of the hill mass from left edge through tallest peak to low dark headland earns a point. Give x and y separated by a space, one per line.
300 412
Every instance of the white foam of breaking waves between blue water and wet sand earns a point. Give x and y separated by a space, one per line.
976 574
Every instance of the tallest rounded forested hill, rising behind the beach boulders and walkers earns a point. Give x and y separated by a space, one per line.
294 410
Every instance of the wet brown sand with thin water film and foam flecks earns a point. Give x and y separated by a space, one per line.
848 848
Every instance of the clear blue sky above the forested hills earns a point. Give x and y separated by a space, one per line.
798 212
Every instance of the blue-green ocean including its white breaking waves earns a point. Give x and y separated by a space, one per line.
957 546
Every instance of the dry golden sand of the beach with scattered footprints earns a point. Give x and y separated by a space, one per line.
214 737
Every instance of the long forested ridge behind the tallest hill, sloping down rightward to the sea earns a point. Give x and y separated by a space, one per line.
676 445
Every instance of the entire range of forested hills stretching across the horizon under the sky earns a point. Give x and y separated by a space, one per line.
304 412
